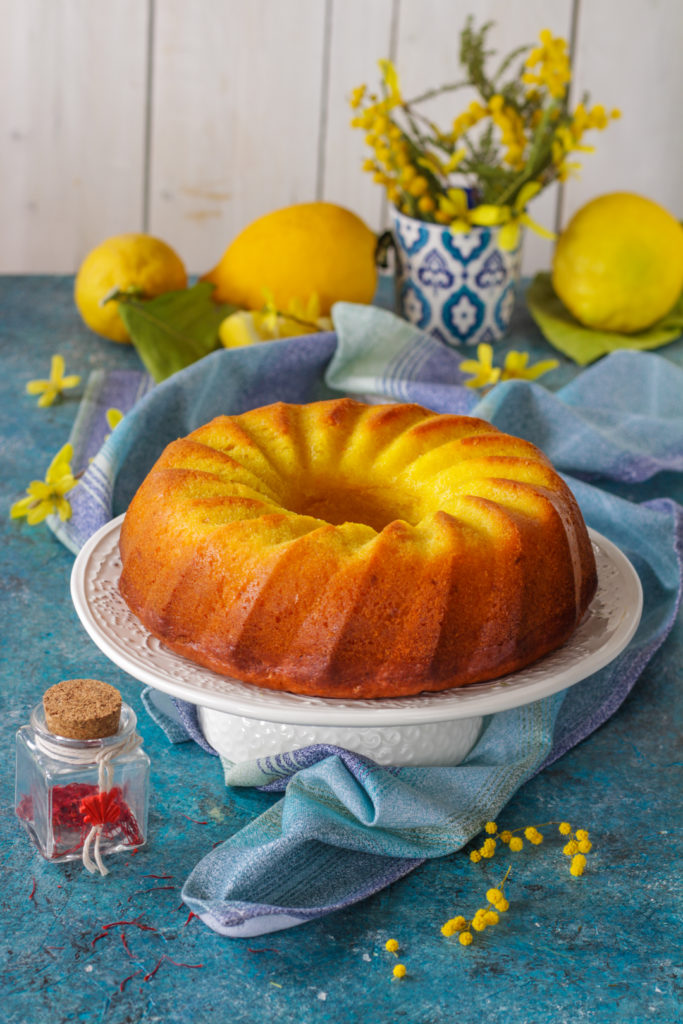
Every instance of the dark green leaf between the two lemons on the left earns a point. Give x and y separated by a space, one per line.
174 330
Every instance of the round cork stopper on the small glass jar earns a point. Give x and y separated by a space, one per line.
82 709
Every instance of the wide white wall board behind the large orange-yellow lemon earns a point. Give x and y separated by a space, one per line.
237 96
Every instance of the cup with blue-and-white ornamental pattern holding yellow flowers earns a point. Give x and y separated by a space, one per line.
459 287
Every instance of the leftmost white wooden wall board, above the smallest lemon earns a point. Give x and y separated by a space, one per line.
72 120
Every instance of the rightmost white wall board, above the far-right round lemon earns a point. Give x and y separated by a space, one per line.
632 58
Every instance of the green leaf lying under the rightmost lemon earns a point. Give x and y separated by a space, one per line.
581 344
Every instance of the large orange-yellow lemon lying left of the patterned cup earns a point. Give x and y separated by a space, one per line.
293 252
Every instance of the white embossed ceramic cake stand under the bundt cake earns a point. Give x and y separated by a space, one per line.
242 721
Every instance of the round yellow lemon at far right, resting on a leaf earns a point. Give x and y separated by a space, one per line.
619 265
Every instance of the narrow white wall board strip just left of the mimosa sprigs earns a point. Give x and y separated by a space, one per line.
361 36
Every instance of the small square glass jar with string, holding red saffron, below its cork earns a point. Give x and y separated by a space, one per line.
75 796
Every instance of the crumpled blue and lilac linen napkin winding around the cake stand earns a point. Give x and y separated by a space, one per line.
347 827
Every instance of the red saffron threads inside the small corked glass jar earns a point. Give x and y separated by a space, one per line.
77 807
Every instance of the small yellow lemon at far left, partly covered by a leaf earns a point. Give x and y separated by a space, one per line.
139 263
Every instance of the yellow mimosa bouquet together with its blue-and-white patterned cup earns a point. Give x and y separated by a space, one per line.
460 194
